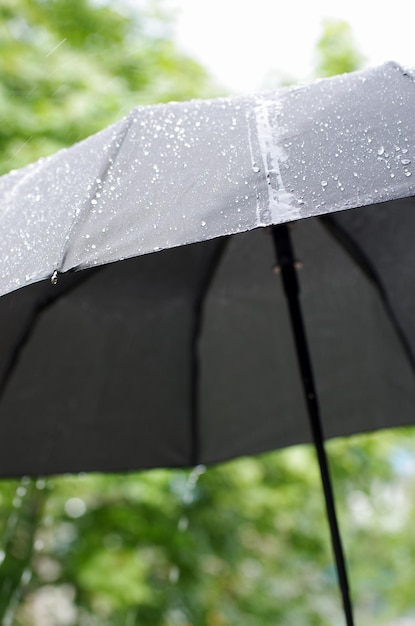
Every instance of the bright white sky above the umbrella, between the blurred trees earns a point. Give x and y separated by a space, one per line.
243 41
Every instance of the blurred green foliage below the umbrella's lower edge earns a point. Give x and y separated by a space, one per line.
244 542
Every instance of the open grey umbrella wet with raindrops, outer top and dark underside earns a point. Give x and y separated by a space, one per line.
186 356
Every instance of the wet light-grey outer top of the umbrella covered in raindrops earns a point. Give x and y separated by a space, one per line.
179 173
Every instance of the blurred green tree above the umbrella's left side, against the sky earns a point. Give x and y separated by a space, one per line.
68 69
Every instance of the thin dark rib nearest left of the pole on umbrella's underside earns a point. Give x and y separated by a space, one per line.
199 305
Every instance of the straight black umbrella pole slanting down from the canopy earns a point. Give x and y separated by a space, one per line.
287 267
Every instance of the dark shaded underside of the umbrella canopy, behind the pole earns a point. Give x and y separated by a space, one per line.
103 377
